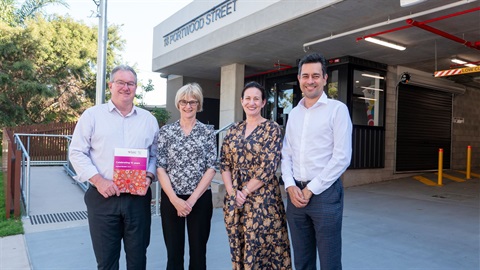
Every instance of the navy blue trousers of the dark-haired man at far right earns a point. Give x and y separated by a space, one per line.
318 226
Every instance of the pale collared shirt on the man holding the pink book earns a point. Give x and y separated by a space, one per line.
103 128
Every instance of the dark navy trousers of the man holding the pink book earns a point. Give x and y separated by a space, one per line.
126 217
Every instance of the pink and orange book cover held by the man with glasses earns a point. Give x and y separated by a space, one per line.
130 170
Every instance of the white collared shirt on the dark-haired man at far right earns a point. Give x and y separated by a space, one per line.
318 144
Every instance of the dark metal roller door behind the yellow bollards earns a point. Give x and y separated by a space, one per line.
423 126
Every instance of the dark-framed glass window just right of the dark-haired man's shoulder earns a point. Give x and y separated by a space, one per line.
368 98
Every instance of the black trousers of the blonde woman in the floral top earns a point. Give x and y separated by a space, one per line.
198 228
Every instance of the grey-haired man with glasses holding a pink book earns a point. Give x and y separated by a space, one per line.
112 215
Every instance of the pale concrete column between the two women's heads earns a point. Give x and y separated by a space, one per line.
231 85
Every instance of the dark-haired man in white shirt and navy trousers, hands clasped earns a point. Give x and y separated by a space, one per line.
317 149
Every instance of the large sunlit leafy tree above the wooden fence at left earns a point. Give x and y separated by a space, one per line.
47 69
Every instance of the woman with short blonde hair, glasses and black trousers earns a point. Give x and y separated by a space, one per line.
185 167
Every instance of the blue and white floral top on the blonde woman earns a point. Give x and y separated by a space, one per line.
186 158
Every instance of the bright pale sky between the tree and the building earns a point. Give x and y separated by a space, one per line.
138 18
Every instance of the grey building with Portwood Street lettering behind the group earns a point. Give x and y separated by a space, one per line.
402 114
